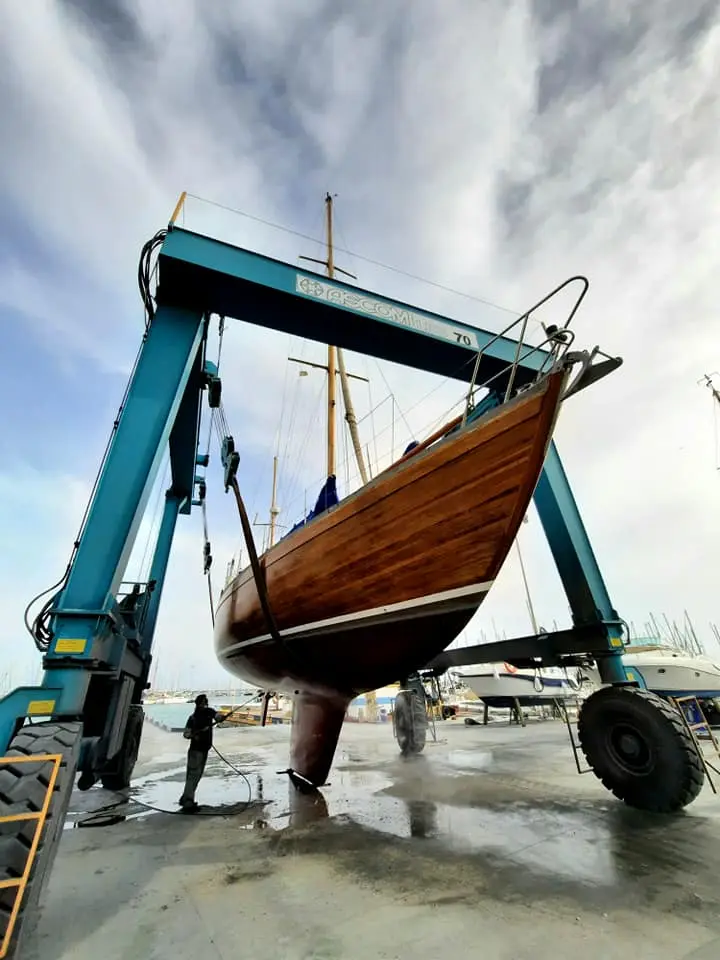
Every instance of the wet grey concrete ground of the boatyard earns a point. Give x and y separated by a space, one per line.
489 844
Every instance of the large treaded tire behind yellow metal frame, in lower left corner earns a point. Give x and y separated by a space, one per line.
23 788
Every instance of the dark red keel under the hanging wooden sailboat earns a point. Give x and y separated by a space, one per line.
317 722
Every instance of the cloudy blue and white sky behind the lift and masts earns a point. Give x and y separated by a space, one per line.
495 149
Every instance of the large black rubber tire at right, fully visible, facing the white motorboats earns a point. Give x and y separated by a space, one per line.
638 746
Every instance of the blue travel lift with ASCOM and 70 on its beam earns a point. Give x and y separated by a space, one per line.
96 631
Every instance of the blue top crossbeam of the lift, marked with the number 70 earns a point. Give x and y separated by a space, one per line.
215 277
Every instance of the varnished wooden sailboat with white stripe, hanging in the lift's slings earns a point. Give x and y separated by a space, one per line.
374 586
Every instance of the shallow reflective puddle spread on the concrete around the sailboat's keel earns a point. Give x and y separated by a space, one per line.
456 802
